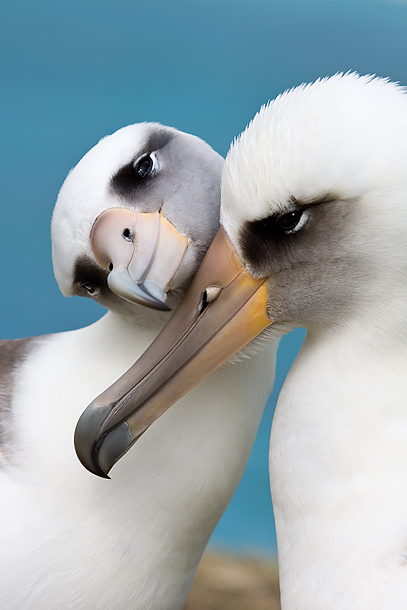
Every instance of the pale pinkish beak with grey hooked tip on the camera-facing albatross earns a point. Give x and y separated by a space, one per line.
141 251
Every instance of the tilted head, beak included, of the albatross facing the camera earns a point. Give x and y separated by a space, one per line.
134 218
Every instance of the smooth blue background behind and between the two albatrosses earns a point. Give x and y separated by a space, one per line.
72 72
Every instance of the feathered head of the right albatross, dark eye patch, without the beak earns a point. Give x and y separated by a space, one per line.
314 198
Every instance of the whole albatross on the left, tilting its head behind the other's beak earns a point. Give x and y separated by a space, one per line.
131 224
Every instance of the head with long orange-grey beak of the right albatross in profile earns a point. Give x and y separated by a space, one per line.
313 200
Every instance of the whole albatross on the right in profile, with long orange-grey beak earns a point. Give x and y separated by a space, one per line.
314 234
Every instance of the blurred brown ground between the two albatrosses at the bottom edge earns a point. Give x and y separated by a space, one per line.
234 583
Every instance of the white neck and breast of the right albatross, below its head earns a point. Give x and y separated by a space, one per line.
338 468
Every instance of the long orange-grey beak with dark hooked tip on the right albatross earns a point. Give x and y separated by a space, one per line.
222 311
